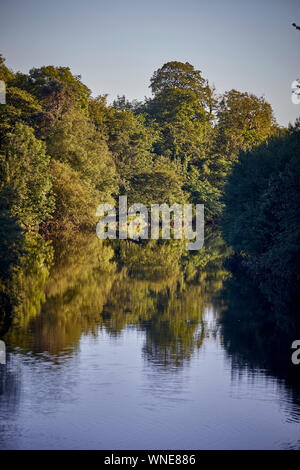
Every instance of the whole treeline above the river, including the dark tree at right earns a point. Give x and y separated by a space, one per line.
63 152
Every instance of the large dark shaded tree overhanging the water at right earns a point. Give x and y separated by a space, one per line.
261 220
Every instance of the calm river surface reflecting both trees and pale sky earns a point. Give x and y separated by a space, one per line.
79 314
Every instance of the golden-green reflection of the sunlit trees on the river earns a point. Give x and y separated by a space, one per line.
75 286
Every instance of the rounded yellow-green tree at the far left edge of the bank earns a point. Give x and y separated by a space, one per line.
25 184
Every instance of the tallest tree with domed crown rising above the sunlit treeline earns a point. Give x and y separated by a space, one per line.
182 106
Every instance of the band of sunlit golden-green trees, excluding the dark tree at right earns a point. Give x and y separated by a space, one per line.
177 146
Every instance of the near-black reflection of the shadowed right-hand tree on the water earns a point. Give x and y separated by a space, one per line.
258 338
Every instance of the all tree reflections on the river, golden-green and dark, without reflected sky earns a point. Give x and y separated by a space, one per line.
54 292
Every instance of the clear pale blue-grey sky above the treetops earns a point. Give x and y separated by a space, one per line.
117 44
